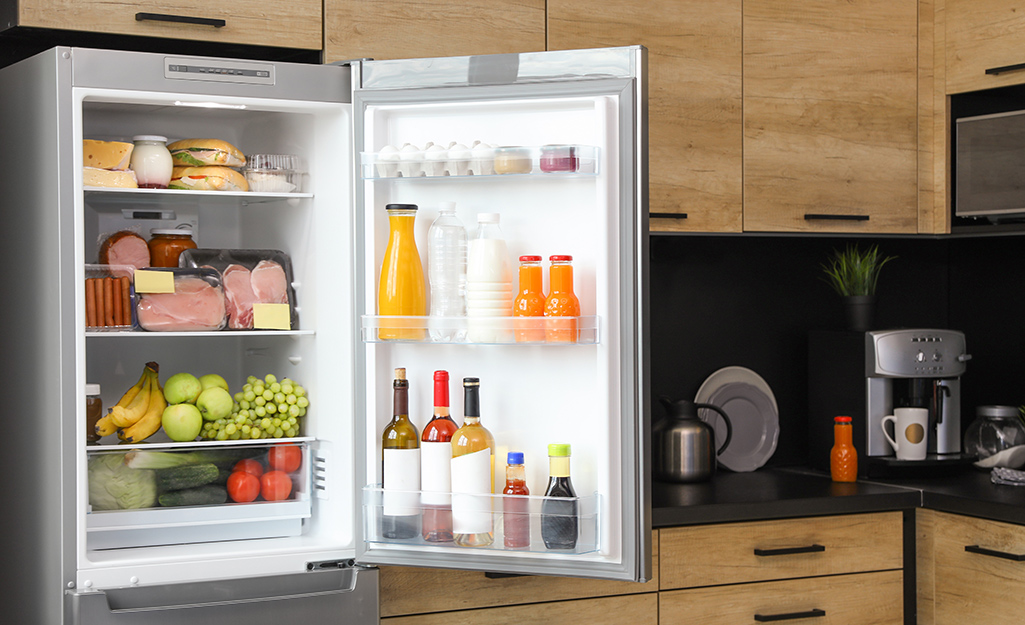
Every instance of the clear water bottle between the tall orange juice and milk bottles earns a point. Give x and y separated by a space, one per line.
447 273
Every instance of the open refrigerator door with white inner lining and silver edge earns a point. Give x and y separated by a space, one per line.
616 78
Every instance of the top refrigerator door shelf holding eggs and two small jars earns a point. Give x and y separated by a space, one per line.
476 162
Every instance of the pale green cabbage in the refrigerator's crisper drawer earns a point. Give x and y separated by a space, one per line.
116 487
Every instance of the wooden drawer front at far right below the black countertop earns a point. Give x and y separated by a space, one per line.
975 588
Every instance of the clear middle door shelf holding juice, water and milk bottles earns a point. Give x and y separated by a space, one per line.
481 330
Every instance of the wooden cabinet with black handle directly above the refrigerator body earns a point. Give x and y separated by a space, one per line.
294 25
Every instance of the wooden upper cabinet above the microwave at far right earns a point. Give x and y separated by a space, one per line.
983 35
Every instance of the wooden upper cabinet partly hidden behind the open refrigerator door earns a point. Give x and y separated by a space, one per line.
694 100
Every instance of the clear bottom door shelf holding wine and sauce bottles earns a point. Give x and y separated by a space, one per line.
489 511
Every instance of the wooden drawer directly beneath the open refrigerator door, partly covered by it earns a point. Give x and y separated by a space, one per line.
406 591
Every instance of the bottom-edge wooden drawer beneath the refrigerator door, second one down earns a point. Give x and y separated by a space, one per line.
626 610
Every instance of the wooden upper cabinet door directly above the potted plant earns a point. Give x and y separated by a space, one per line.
831 116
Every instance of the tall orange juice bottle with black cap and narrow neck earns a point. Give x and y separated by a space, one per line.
402 289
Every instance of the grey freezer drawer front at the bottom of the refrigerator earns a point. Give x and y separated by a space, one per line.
319 597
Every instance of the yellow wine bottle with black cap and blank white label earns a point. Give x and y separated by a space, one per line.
473 474
